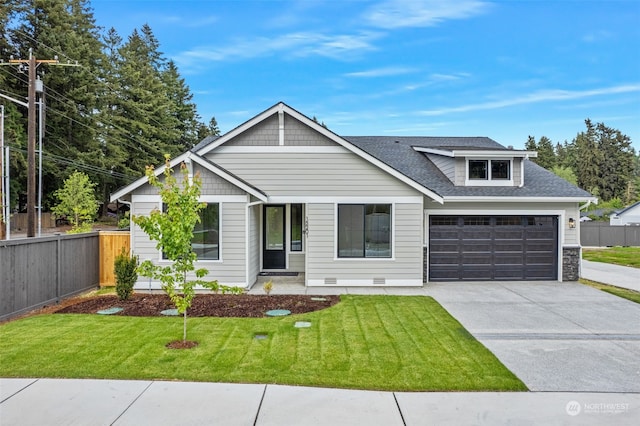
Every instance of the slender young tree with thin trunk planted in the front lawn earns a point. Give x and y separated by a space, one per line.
172 229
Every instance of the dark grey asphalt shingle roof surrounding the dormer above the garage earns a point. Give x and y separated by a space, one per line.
398 153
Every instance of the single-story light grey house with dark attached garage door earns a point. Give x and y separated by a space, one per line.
287 195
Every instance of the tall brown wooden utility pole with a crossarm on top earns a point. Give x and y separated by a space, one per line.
32 63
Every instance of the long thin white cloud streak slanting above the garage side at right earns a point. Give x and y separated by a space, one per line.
540 96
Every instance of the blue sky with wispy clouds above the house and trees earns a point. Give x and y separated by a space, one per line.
502 69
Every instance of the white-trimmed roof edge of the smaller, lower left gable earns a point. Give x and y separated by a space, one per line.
209 165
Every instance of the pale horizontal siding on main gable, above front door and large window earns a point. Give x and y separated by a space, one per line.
311 174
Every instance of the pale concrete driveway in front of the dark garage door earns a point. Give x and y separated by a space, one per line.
554 336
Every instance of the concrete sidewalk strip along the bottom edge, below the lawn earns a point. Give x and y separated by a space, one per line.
113 402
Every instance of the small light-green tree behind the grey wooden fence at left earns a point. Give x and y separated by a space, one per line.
77 201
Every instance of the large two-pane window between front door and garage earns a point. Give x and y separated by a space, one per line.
364 230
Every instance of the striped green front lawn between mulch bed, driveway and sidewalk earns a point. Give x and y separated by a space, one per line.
398 343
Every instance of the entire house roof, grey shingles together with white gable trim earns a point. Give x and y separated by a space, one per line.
400 157
